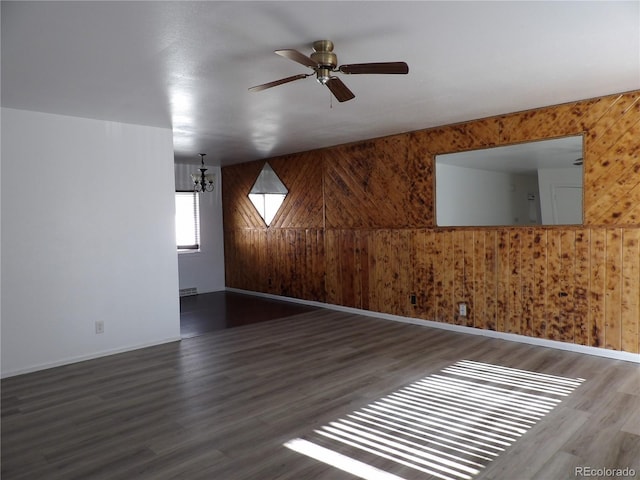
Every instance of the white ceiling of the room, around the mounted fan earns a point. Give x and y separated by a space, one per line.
188 65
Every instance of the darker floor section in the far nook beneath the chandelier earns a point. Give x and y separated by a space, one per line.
219 310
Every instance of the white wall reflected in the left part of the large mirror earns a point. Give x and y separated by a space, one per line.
470 196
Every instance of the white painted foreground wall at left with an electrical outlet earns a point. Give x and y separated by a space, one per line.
87 234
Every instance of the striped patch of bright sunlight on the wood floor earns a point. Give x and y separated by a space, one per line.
450 424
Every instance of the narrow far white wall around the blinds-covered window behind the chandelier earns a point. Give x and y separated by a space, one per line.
204 270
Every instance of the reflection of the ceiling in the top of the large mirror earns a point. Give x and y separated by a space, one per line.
522 158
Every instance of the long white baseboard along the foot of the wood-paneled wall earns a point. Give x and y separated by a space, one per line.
571 347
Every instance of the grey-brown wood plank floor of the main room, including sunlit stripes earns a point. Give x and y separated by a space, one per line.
240 403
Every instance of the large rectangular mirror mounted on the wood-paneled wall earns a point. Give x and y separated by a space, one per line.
534 183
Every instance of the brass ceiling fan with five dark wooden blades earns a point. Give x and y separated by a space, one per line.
324 63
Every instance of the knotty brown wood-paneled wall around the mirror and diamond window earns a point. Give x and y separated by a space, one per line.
358 229
